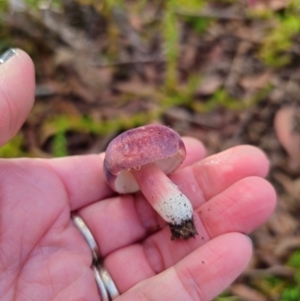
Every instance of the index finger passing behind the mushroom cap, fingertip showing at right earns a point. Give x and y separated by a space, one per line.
84 179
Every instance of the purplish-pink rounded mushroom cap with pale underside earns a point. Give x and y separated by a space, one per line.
132 149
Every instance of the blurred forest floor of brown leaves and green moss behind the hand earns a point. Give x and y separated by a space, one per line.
226 72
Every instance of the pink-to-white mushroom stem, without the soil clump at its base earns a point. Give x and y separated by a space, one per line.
170 203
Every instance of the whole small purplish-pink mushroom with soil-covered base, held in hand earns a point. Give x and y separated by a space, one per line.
141 159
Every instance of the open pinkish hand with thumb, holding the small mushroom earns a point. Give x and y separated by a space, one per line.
44 257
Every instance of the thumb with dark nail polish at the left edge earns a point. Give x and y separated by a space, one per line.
17 87
